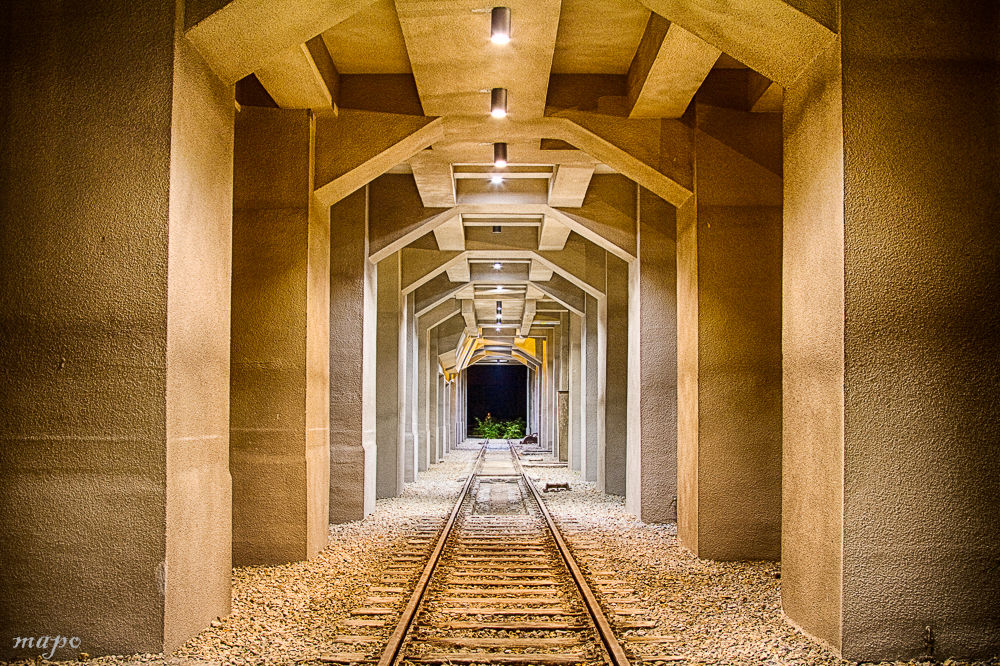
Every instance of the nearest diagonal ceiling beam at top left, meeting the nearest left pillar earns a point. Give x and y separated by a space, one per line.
238 38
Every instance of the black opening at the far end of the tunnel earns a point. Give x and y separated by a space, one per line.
500 390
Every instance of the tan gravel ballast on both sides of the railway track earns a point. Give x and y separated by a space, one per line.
713 613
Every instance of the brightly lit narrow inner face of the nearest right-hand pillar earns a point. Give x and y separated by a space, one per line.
813 354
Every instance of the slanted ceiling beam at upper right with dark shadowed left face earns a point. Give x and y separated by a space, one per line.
668 68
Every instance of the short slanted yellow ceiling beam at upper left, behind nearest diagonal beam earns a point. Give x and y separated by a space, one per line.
302 77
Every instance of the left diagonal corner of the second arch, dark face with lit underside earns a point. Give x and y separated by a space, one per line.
355 147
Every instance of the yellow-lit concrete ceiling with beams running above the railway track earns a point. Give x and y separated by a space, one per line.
604 58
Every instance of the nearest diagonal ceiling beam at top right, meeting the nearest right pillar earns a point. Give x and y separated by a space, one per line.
769 36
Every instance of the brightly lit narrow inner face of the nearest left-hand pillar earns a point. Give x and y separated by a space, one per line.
198 483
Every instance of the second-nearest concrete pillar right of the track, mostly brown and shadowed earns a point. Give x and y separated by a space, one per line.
729 339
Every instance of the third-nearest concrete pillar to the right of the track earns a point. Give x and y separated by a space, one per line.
652 372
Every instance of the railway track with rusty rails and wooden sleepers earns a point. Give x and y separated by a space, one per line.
496 584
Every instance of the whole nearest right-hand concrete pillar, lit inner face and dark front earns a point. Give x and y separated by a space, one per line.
891 473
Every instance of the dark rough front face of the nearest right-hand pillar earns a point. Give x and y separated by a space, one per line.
921 367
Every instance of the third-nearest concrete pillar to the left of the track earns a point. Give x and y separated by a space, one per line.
353 317
